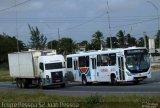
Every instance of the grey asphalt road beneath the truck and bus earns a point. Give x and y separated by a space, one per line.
149 87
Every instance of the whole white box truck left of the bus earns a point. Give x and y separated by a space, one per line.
34 68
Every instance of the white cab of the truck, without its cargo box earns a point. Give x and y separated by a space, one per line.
51 70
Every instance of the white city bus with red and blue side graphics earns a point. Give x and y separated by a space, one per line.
114 66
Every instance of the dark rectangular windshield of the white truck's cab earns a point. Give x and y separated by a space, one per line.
50 66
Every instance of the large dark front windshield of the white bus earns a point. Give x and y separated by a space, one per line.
137 60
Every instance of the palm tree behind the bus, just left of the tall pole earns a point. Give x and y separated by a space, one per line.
97 39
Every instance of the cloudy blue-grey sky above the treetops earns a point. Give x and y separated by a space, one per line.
79 19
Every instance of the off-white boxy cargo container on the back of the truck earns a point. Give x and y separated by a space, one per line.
23 64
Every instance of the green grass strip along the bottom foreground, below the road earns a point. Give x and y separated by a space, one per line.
93 101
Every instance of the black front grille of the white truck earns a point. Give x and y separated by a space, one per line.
57 77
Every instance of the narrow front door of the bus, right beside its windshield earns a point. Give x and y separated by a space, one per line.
121 68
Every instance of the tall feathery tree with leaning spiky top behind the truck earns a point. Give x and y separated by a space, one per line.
38 40
